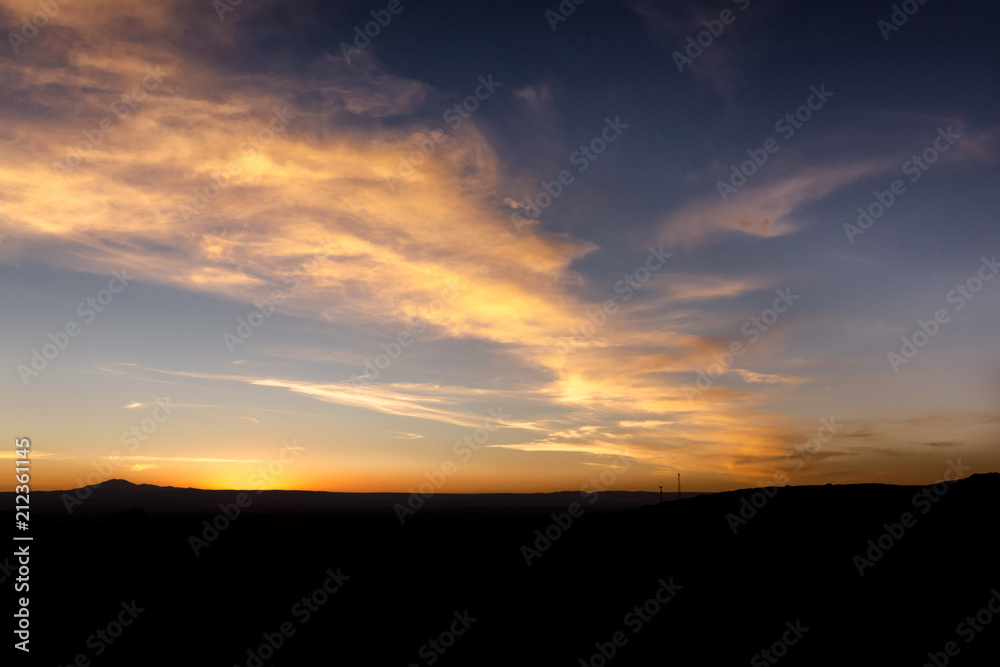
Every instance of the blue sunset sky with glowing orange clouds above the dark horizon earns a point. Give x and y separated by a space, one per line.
515 247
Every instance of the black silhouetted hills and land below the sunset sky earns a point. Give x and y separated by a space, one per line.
791 566
